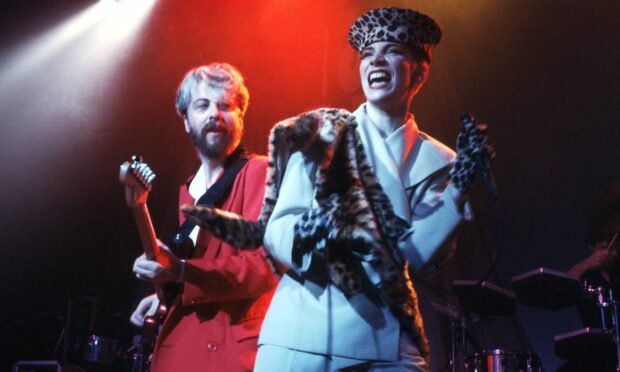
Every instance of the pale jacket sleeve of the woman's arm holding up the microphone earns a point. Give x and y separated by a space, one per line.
438 212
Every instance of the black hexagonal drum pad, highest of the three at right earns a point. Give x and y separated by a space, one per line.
547 289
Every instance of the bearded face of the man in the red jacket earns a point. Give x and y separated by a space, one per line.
213 121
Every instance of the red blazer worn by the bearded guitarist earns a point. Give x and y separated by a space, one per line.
214 324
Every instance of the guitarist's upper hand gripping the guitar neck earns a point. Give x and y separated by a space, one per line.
155 272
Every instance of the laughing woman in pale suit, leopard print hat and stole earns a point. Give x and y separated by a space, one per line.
348 223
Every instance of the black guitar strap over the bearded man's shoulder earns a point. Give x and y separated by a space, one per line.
214 196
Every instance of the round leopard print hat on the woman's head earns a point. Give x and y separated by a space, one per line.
400 25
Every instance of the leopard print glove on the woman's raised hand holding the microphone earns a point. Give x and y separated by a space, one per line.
472 147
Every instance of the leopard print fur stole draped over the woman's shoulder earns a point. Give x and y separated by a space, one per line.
354 230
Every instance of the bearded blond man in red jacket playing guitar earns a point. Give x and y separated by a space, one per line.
225 291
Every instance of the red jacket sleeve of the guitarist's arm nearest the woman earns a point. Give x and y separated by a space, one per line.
233 273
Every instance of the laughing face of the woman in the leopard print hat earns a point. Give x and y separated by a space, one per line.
390 73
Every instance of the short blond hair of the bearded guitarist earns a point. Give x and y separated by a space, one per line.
218 75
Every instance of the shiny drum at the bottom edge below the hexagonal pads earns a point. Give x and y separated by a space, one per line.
499 360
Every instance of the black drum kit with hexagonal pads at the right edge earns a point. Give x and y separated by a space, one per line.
541 288
